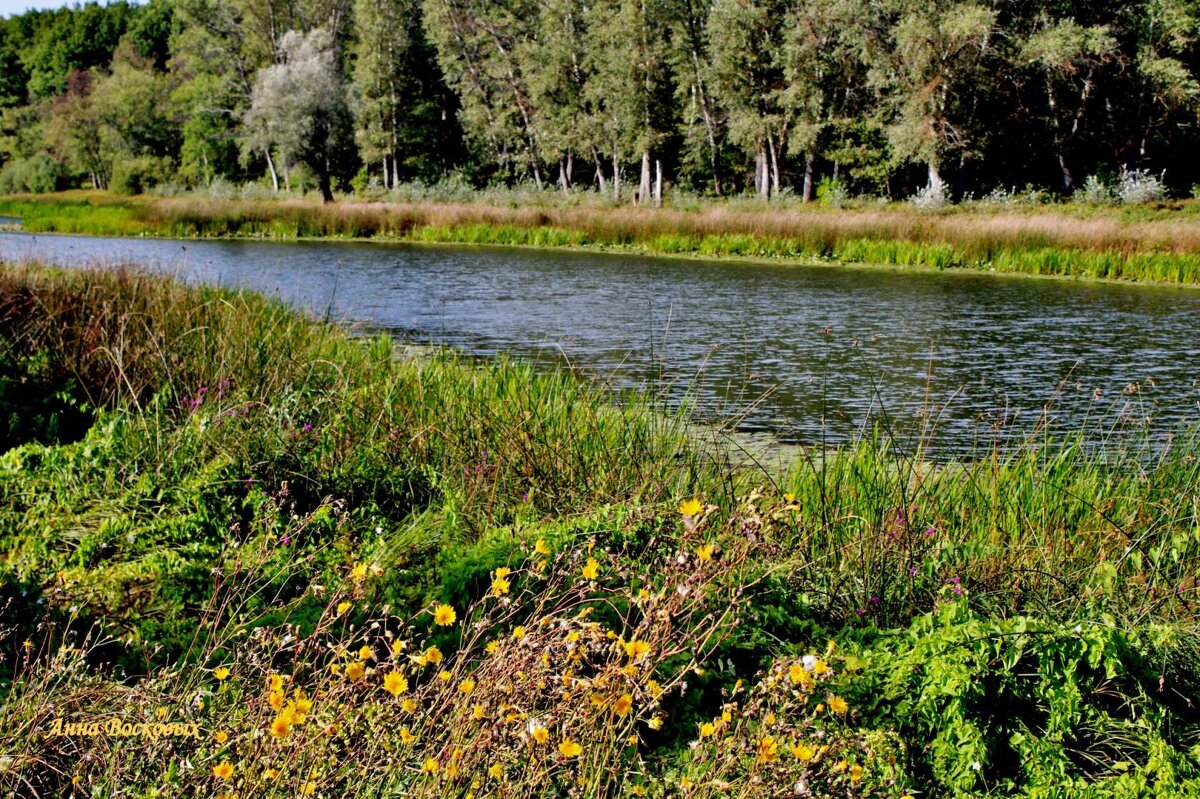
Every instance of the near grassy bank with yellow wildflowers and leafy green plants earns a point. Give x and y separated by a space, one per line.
365 575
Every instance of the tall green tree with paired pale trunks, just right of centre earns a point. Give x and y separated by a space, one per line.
747 43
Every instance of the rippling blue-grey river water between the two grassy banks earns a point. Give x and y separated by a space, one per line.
809 353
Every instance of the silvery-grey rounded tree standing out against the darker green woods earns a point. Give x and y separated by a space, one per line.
299 106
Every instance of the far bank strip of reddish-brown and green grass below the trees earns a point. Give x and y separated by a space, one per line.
1160 245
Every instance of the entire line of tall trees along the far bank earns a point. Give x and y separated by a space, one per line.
620 97
